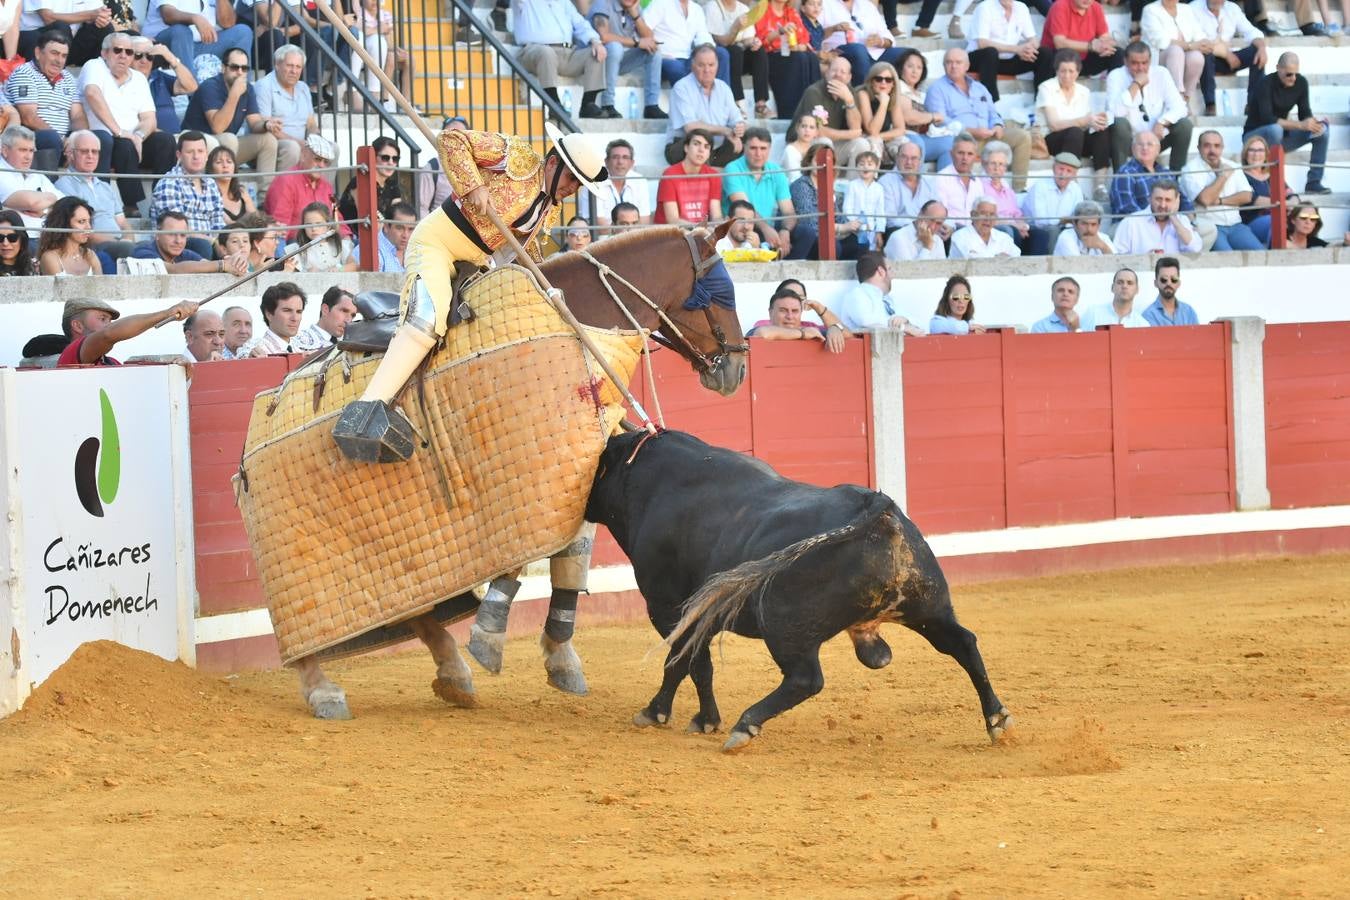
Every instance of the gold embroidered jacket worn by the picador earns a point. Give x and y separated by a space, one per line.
514 175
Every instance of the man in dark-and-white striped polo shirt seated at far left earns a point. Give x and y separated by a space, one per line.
48 98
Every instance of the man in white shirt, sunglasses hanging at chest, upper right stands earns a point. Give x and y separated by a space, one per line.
1144 98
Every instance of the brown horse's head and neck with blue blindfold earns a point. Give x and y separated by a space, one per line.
673 283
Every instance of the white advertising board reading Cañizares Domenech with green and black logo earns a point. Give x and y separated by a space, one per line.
99 540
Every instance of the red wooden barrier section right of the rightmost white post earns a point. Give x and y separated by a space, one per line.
1307 412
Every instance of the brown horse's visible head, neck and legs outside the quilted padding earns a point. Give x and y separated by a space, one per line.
661 277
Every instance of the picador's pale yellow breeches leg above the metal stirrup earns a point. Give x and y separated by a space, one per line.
434 250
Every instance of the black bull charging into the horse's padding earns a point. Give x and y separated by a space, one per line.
720 542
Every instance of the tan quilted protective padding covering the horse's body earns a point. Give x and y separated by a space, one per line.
518 415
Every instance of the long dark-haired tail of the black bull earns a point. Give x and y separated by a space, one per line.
723 598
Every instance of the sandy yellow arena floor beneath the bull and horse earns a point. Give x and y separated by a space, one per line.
1181 733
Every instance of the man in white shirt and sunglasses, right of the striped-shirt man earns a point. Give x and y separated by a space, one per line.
122 114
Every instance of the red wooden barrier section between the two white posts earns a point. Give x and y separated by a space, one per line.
1008 430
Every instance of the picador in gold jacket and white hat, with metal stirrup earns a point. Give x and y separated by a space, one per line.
485 171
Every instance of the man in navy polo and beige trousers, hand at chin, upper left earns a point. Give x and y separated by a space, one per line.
226 107
